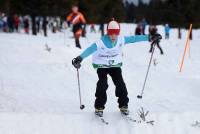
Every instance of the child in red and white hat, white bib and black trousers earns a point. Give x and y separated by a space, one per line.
107 59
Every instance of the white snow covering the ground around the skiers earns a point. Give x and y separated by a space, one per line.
39 93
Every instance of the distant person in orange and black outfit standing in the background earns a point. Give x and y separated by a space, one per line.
78 21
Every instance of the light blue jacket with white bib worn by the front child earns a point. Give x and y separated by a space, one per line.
108 54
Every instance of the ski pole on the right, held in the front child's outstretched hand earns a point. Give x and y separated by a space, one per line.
153 43
